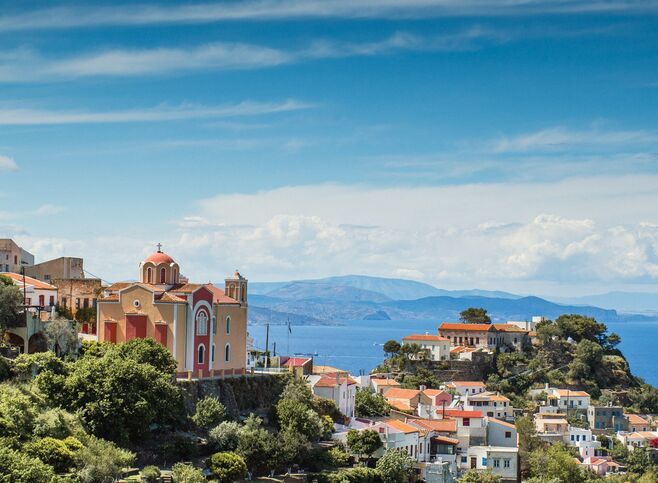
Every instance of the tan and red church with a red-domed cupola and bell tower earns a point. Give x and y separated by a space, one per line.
203 326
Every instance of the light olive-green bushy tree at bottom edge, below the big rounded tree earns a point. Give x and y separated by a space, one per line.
101 460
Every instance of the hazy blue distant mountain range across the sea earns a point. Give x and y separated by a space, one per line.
336 299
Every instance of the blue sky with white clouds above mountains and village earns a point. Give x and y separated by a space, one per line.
499 144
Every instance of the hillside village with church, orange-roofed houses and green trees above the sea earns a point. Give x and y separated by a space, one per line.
156 380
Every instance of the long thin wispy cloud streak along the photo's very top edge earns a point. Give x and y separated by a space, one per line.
269 10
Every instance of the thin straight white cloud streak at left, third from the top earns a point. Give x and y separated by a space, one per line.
16 117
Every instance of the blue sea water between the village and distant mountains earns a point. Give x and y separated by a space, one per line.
356 345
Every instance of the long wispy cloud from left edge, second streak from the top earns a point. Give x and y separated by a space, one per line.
25 65
